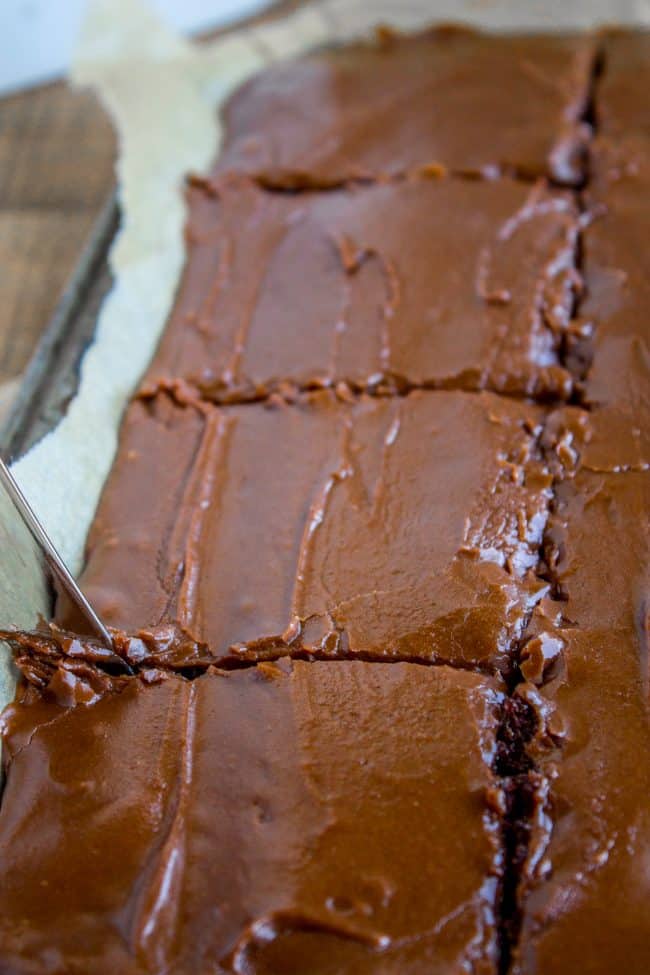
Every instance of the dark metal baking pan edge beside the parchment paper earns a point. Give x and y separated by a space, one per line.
52 376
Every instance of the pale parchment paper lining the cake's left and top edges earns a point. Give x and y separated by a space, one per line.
163 93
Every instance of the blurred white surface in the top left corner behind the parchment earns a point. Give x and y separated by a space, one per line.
37 37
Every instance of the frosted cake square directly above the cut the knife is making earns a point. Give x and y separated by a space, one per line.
403 526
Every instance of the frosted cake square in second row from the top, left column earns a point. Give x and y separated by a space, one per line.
432 282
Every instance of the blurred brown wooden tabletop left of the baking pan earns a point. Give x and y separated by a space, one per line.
56 163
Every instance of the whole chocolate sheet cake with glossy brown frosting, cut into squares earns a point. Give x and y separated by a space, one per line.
374 548
